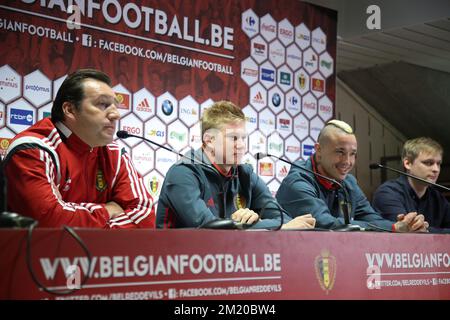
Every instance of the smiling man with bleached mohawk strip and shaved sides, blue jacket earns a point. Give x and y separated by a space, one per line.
334 157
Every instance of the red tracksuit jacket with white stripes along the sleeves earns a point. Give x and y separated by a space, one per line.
57 179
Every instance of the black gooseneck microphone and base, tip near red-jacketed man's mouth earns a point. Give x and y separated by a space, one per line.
213 224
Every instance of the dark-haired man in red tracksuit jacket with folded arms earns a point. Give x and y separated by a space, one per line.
66 170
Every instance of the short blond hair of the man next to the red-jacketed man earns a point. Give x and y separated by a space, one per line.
220 113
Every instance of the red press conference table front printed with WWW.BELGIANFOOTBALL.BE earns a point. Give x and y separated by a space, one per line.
226 264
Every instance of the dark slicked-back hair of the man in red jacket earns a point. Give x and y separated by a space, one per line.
72 90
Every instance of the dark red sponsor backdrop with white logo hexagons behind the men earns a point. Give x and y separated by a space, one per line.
169 60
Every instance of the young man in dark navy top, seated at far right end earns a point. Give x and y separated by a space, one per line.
421 157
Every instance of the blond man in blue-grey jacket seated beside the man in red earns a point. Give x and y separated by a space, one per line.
212 183
